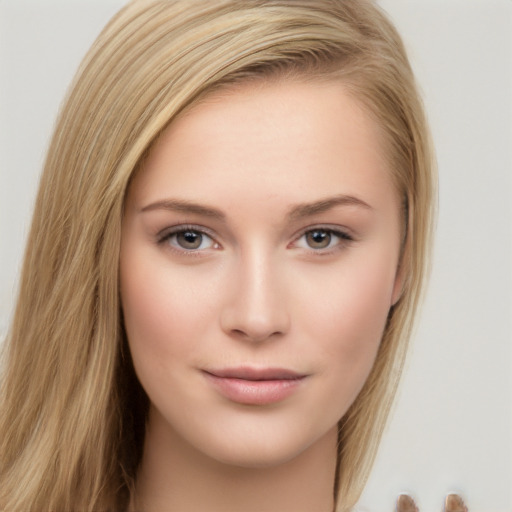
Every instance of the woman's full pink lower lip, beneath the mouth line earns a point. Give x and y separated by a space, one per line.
254 392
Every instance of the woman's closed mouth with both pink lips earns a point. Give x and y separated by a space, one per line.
255 386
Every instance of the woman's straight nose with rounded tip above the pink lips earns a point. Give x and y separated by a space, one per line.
256 309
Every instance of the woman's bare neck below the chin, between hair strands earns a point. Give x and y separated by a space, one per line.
174 476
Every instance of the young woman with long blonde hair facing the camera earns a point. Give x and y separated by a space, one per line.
227 253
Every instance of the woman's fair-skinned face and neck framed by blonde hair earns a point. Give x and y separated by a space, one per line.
259 260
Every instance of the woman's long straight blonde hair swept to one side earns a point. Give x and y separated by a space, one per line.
71 410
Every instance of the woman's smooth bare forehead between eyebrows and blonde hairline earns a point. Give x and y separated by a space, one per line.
299 138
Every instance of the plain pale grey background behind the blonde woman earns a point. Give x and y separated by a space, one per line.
451 429
